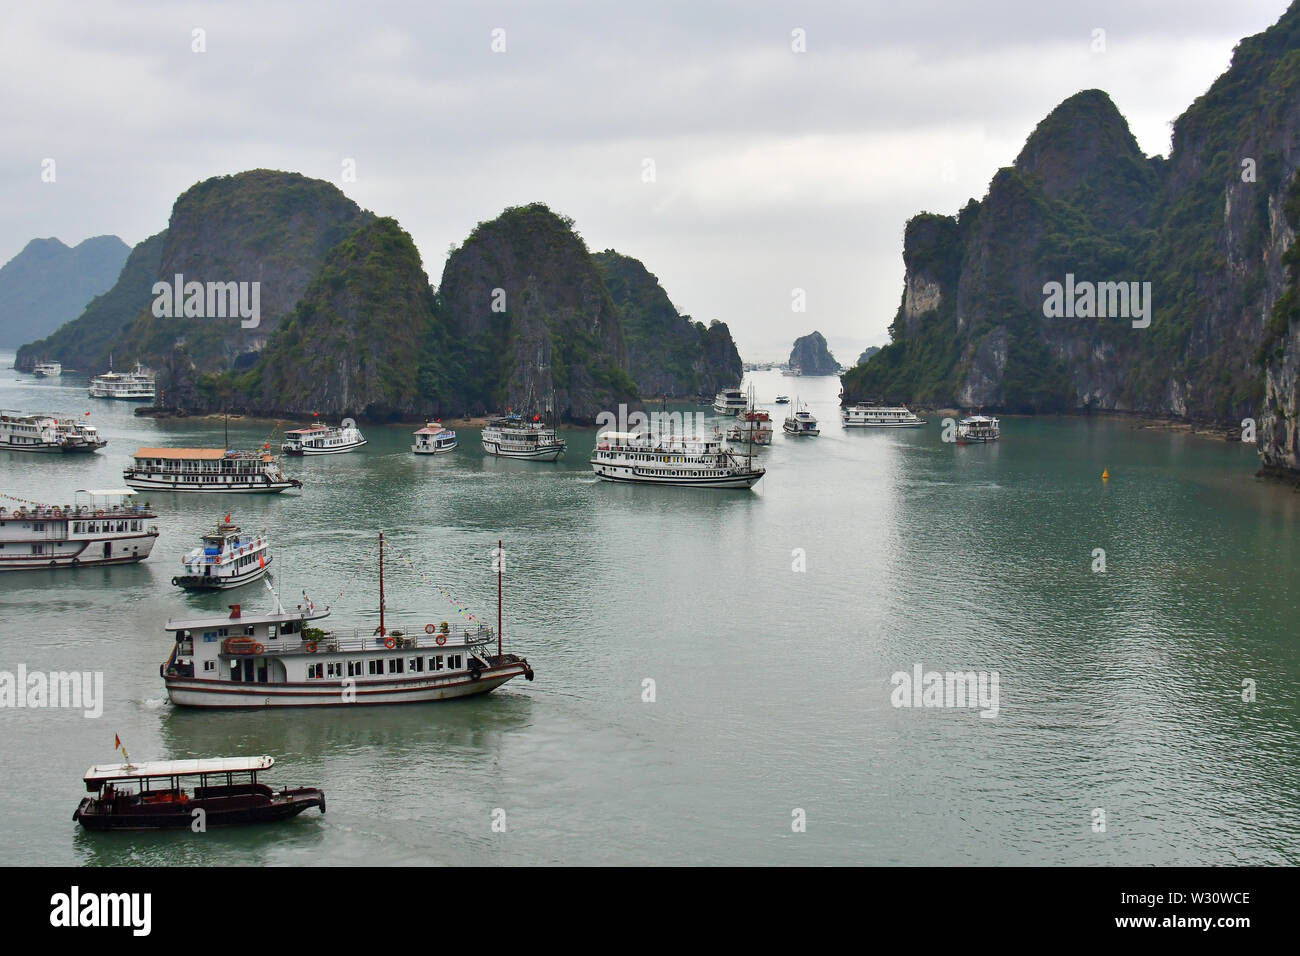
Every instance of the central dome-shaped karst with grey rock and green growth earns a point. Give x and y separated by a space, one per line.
531 325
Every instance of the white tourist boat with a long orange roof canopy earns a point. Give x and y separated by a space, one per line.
207 470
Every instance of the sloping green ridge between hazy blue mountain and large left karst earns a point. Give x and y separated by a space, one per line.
88 341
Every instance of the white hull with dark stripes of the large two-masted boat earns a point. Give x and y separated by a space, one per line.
188 693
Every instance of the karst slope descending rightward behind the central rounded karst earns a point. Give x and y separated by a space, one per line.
669 354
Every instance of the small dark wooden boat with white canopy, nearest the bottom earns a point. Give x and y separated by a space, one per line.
171 794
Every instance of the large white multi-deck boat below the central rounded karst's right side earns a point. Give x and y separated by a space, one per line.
639 458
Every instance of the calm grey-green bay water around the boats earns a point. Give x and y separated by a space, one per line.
1120 691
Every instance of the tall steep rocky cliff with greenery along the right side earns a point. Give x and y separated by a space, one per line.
1206 228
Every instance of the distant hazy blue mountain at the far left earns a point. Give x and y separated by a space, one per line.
47 284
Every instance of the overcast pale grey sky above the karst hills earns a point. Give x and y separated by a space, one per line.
774 170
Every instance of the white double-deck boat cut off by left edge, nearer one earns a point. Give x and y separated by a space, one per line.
102 527
